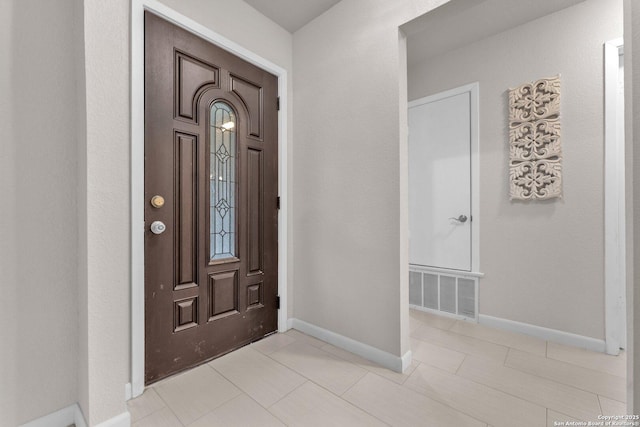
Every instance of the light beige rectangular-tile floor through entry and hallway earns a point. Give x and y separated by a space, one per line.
462 374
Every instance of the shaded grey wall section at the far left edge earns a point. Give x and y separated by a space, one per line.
38 247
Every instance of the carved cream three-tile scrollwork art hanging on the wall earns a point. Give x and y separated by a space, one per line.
535 151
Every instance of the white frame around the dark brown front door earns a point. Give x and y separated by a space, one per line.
138 7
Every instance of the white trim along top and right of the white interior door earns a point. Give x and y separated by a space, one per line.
474 93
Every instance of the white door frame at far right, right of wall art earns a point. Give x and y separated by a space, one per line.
614 211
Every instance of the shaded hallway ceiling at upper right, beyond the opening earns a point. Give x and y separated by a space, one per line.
460 22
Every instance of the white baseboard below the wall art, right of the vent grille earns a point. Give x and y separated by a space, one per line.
547 334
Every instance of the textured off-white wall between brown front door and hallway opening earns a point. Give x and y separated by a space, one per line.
350 201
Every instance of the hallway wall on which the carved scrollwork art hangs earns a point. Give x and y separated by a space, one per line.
543 261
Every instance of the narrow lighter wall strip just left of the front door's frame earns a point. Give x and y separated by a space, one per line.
104 205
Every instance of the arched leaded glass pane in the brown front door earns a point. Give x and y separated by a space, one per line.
222 178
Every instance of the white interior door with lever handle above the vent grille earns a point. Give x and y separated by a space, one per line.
440 181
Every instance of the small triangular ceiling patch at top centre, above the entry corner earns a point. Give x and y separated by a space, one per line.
292 14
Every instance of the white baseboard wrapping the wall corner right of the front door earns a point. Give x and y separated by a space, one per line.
382 358
